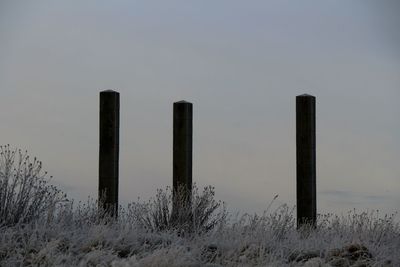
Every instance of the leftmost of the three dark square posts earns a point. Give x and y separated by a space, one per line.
109 151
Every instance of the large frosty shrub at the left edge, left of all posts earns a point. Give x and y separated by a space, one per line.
25 192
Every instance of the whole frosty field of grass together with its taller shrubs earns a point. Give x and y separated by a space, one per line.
39 226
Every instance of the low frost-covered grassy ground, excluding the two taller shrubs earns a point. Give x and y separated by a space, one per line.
77 238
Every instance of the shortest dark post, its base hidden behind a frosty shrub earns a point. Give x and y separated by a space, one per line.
182 148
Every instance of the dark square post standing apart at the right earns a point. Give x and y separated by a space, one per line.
306 160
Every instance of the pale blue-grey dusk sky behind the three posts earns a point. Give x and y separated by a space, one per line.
241 64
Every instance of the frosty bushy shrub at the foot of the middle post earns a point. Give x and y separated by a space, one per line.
200 214
